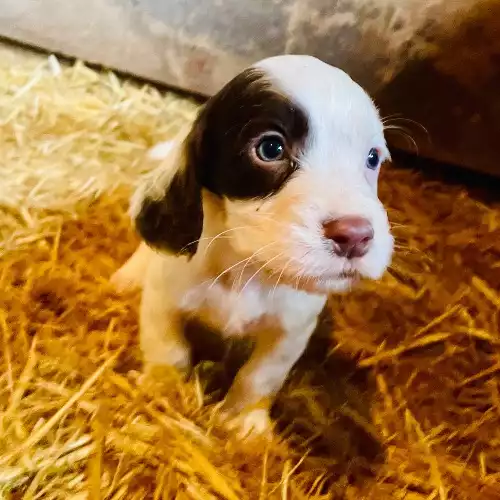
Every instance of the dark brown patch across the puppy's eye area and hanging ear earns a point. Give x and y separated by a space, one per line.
218 157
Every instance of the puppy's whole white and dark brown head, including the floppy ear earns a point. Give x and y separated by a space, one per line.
292 148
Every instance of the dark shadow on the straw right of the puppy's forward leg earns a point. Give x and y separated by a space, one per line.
343 393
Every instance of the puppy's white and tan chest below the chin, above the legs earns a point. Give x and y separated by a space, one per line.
235 304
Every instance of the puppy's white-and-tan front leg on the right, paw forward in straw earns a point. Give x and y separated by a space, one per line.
250 397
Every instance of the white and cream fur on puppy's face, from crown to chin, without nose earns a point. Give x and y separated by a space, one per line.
333 180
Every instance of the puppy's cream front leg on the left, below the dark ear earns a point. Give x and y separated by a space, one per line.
161 327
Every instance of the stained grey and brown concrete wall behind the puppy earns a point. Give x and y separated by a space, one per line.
436 62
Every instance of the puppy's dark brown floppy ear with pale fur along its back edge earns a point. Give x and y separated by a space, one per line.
168 212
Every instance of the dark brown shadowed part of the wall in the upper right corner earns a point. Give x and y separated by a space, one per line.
448 98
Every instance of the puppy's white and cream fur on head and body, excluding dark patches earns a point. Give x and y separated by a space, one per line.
263 267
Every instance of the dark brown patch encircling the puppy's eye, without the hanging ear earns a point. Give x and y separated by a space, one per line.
227 129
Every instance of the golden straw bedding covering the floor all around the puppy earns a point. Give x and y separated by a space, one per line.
406 405
